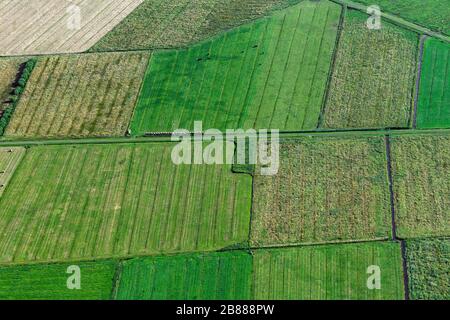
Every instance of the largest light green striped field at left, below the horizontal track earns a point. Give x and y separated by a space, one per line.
92 201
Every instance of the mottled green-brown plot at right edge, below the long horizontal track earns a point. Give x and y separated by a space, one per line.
421 167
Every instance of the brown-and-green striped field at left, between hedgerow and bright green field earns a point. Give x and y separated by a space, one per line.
80 95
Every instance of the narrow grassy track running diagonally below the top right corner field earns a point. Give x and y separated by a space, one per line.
397 20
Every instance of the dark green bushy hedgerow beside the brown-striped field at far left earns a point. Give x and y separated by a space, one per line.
17 90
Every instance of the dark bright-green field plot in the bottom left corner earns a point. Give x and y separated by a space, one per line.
49 282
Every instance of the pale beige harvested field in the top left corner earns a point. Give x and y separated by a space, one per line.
50 26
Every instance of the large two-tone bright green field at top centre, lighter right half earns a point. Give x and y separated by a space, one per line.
257 76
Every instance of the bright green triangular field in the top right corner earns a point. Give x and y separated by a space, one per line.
433 14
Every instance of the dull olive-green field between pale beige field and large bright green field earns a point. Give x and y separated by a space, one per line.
174 23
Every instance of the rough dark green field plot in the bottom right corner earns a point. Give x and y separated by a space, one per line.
428 266
